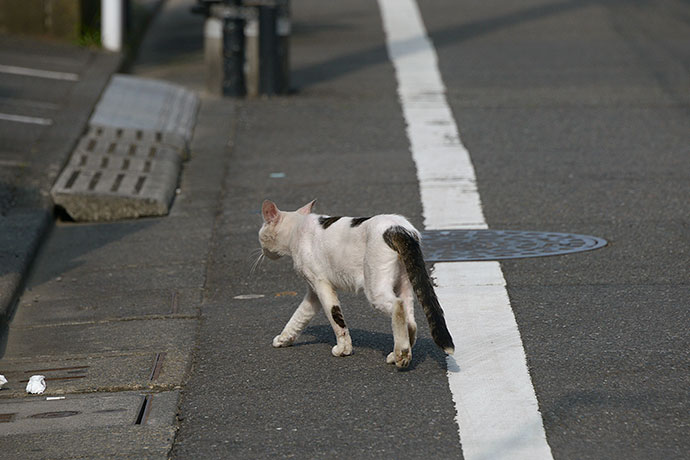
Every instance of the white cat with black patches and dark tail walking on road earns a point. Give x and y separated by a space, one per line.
380 255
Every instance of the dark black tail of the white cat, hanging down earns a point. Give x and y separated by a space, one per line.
406 243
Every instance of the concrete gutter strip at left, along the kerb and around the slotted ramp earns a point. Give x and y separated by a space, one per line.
110 311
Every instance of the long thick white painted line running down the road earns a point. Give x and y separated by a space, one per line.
496 408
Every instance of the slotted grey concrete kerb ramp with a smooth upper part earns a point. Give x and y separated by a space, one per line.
128 163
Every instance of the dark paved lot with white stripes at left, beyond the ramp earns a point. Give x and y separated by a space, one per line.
43 116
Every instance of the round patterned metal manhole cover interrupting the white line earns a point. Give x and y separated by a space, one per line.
469 245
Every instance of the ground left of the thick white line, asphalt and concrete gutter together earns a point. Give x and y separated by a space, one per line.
144 327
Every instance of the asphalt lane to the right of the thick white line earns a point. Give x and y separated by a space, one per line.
576 117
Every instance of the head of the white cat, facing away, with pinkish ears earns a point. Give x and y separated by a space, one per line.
275 233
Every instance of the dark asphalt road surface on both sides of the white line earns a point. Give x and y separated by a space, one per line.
575 115
